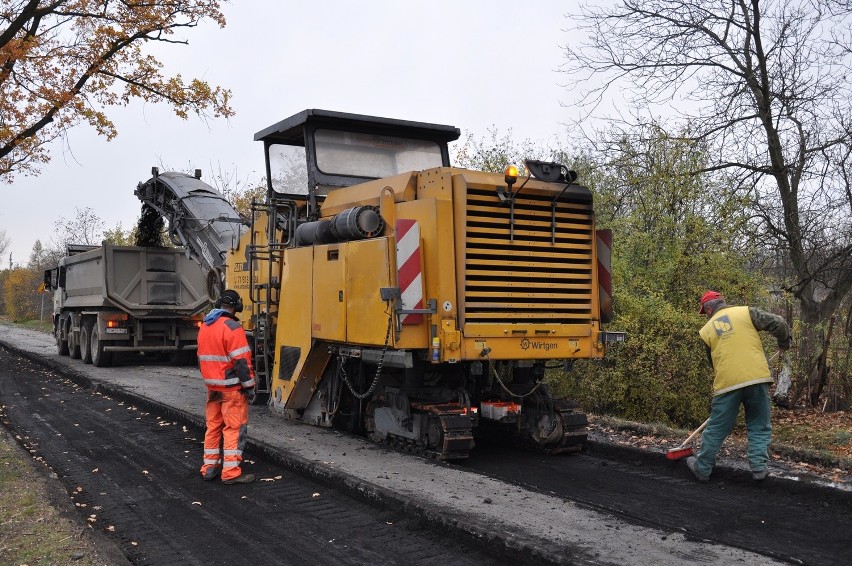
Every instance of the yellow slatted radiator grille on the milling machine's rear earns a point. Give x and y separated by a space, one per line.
534 278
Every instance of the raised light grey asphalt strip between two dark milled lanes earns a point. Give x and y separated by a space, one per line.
541 528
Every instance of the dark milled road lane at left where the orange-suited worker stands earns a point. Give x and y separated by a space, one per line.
135 476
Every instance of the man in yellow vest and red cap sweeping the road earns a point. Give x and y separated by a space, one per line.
742 377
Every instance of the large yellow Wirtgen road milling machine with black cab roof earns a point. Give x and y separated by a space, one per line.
417 303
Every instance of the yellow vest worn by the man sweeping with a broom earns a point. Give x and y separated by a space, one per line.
736 350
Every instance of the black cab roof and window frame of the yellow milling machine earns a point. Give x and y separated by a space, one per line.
298 130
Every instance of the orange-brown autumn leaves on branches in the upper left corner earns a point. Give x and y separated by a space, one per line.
65 62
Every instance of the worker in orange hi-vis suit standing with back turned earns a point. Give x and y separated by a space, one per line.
224 358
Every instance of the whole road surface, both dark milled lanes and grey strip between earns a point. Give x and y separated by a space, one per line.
609 506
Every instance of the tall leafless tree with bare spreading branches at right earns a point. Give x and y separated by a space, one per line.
767 86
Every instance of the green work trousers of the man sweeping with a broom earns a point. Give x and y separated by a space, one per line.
723 415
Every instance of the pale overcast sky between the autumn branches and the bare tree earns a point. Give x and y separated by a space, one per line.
472 64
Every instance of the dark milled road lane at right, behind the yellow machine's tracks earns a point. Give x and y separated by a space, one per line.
794 522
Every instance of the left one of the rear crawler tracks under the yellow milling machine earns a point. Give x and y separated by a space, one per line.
443 431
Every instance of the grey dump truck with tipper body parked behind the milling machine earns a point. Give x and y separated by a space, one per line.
109 299
